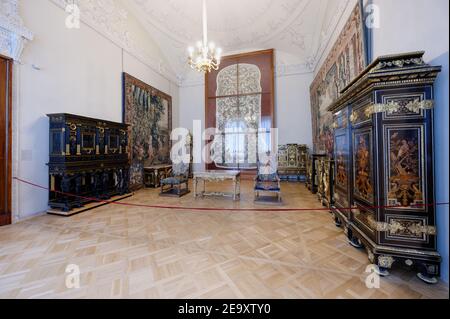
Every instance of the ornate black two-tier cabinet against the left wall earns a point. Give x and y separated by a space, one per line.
88 158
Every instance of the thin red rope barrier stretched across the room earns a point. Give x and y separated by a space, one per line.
215 209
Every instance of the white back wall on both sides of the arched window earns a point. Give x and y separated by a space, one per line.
292 108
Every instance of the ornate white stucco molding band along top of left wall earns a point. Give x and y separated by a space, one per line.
107 18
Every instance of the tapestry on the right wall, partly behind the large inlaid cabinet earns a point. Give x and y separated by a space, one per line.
345 61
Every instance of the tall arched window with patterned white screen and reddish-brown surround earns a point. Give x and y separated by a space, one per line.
240 101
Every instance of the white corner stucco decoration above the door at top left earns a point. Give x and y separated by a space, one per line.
13 34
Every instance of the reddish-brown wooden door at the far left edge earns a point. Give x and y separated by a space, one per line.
5 140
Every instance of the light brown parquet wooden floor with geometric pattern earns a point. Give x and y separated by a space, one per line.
137 252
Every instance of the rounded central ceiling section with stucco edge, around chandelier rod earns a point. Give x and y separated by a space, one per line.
161 15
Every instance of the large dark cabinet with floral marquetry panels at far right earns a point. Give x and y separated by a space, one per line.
383 152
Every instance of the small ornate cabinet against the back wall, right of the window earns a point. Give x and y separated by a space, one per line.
292 160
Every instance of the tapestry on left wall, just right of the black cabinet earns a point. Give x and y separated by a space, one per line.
148 112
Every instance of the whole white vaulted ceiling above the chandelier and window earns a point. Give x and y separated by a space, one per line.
297 29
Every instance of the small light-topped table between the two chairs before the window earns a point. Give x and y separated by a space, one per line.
218 176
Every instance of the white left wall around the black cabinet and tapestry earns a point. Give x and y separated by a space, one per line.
81 73
